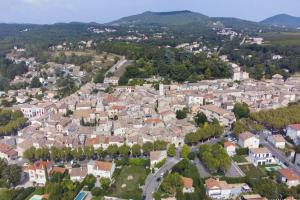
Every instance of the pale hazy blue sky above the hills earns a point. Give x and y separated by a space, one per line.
101 11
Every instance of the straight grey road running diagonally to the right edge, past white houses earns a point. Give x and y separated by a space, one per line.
277 153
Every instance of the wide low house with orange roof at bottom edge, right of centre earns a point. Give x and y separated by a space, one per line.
216 189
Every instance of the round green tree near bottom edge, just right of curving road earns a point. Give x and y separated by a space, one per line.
172 183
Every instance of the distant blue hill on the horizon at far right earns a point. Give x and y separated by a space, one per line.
282 20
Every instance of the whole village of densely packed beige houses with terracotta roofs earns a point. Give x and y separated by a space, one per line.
100 115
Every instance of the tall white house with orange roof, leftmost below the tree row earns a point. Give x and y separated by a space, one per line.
39 171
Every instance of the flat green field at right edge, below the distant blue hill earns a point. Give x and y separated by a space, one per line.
282 38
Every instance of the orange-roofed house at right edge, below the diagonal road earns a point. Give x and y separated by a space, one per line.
287 176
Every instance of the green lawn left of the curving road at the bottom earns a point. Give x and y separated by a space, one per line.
128 181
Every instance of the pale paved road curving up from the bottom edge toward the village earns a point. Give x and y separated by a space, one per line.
151 183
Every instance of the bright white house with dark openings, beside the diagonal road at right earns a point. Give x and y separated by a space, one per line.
261 156
